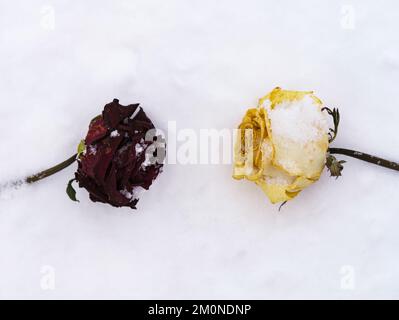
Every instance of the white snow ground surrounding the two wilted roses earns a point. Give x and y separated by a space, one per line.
197 233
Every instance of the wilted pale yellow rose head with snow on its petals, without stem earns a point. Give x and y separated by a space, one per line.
283 143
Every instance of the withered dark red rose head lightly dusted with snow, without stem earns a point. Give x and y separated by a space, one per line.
120 158
